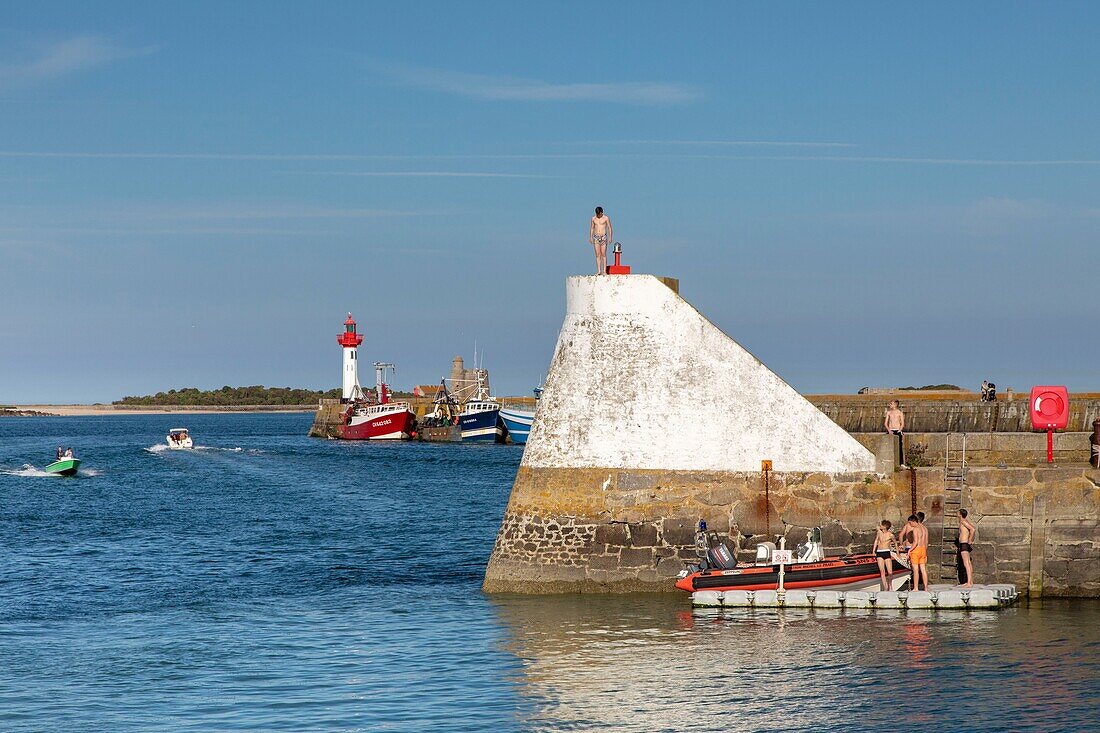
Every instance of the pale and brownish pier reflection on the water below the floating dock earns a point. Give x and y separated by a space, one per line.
645 663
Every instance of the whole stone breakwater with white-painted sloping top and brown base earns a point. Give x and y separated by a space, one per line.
653 420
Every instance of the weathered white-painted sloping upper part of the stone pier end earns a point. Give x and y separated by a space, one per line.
642 380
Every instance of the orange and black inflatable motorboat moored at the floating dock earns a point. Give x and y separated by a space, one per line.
809 571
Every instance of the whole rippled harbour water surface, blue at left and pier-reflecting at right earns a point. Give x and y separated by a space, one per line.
273 583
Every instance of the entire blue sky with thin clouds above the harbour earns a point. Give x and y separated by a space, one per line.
196 194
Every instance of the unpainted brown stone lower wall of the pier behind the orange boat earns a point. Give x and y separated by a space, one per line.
618 531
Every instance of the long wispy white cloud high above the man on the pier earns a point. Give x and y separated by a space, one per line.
513 89
